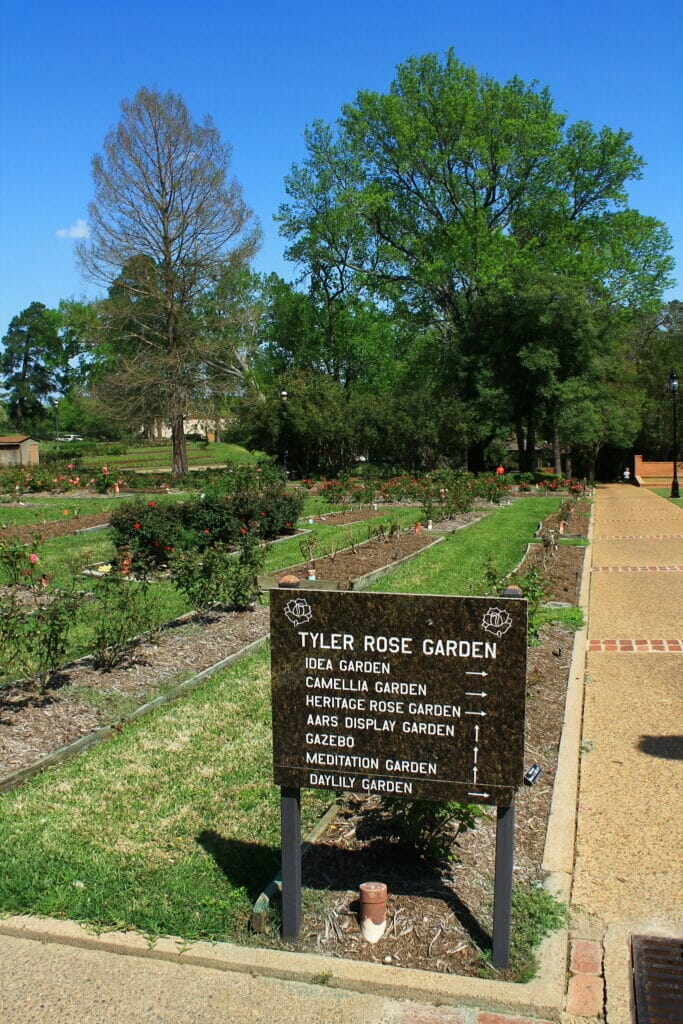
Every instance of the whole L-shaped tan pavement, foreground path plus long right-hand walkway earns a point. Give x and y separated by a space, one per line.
627 874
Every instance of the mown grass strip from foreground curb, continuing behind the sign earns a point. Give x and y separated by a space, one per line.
173 827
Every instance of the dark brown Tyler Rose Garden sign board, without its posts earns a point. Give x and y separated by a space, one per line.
402 696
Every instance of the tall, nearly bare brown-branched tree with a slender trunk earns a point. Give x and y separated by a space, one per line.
166 226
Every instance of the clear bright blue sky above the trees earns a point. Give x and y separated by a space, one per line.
264 71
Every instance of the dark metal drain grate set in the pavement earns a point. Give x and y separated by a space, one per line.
658 979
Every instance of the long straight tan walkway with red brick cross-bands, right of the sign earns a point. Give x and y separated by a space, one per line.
628 872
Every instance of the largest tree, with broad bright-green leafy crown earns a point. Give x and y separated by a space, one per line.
454 190
